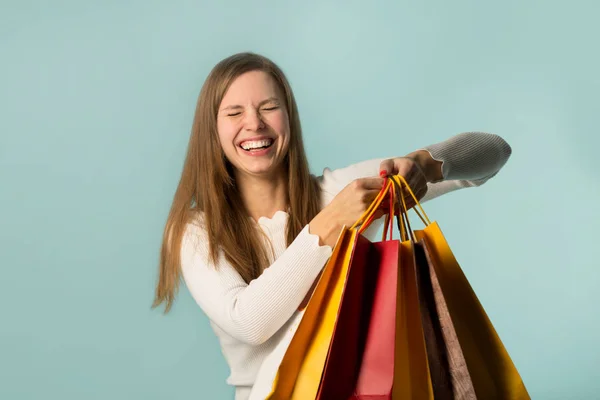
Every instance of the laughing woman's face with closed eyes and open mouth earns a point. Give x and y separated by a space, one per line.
253 125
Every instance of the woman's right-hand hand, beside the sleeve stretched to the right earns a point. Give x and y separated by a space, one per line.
417 168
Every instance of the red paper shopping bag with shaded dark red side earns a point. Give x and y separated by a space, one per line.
348 342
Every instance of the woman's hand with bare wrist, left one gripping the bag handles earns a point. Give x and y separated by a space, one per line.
346 208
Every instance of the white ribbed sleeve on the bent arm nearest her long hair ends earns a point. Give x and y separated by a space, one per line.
252 312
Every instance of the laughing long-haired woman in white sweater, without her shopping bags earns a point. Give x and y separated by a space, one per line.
250 229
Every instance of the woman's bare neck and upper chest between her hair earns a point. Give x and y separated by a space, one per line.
263 197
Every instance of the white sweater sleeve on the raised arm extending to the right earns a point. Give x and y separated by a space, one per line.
468 159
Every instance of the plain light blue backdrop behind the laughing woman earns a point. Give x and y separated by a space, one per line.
96 104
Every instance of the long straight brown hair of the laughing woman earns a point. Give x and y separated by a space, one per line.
207 185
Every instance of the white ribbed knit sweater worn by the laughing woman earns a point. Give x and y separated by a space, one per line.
251 319
